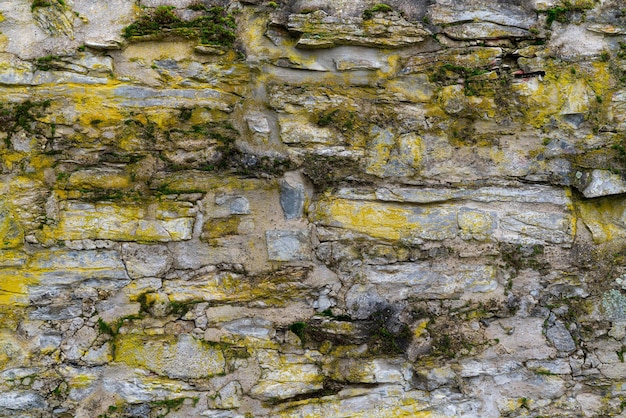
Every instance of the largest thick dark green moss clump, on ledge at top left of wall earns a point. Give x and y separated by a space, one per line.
214 27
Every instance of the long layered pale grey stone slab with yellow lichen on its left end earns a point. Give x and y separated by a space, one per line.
363 212
